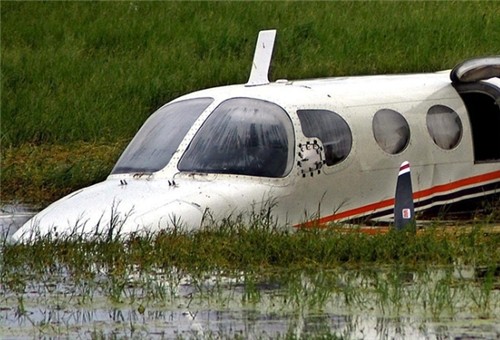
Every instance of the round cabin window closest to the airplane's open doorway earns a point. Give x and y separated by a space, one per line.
444 126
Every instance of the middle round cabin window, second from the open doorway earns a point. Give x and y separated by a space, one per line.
391 131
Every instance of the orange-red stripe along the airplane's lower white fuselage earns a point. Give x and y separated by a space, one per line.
417 195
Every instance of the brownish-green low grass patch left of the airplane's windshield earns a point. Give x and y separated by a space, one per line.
38 174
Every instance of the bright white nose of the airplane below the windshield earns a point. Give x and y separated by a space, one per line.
108 209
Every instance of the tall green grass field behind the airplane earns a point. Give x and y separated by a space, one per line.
89 73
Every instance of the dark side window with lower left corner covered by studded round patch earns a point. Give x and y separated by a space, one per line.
331 129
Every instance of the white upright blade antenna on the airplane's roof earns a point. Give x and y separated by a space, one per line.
262 58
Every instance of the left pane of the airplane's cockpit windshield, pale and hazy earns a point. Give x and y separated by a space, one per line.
158 139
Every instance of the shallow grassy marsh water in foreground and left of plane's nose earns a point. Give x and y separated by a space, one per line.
449 302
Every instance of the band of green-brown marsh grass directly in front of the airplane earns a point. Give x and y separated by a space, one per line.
233 245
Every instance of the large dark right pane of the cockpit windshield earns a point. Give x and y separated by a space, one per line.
243 136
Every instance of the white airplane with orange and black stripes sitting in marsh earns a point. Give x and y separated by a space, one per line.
317 150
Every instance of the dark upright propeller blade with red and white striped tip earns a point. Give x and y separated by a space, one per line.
404 212
